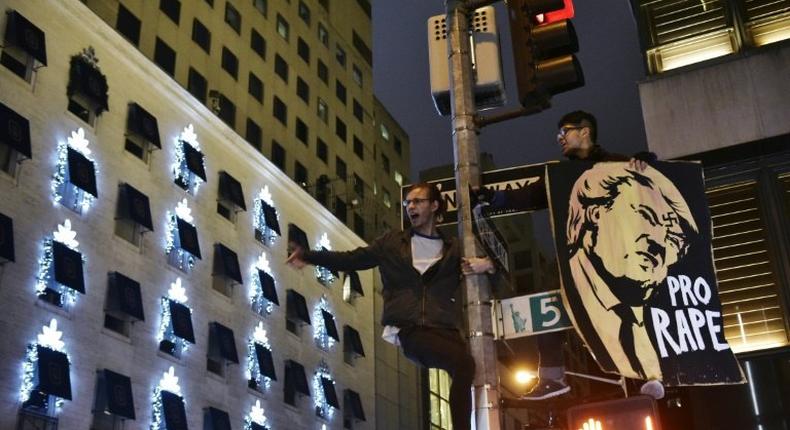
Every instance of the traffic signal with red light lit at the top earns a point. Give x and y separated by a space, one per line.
543 52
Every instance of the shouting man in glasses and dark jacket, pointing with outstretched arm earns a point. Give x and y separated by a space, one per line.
423 303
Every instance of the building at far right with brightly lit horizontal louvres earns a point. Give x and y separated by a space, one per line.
717 91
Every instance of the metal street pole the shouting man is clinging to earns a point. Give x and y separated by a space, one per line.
467 173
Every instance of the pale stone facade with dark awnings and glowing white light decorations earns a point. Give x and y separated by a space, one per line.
142 253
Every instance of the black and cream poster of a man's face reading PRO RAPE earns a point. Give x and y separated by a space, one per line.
636 263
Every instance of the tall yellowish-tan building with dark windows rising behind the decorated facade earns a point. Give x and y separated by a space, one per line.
293 78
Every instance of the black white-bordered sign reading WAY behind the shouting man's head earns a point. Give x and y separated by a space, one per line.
530 177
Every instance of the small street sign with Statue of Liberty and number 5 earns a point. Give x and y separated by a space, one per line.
530 315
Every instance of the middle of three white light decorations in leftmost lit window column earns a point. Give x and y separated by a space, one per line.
45 278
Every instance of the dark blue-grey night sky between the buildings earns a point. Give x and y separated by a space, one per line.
609 54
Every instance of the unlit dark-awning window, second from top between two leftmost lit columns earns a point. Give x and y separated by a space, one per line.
132 214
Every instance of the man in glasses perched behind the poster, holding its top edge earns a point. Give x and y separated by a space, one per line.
577 137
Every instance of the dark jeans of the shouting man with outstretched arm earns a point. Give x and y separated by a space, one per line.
444 349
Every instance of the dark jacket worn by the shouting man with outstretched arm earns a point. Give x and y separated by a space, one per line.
431 299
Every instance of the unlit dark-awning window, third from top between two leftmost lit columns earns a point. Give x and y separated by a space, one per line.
123 303
